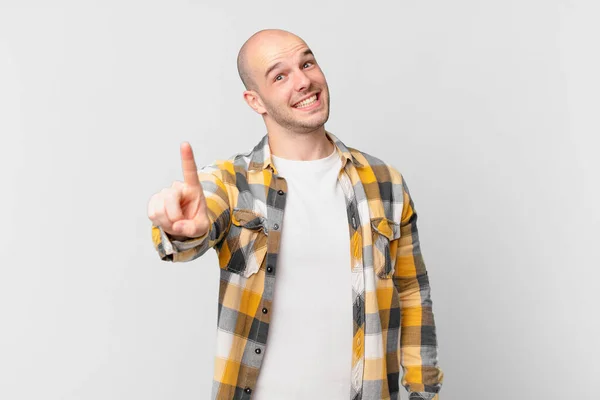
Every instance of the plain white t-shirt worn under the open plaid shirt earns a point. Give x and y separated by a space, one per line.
308 353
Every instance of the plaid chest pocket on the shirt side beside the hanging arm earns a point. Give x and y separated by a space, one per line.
385 246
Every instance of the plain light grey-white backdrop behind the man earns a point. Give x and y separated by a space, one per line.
488 108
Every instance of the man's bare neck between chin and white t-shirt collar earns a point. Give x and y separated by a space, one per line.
303 146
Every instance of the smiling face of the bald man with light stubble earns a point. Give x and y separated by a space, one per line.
291 85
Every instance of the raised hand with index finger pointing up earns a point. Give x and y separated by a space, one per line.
180 210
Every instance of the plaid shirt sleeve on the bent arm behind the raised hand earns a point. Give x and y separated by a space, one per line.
217 201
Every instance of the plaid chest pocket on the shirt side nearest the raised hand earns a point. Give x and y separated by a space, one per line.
245 247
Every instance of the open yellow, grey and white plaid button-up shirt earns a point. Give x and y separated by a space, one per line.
392 310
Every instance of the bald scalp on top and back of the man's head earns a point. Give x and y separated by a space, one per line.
255 49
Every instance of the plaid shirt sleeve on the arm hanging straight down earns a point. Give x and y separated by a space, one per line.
422 377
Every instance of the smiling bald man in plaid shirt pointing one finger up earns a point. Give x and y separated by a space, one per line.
324 293
